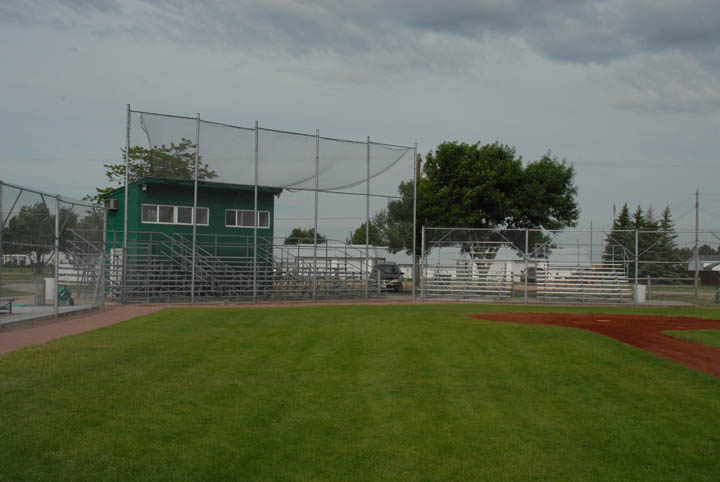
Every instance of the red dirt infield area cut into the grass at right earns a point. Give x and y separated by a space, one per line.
642 331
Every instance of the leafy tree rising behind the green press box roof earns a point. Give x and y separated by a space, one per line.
176 161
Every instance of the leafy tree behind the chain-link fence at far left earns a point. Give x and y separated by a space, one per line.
32 232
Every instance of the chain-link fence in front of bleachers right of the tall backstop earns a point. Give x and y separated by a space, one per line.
601 265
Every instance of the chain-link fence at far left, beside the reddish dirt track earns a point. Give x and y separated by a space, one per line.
51 253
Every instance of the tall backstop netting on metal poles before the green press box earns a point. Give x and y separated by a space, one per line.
320 184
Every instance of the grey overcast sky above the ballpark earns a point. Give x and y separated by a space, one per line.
627 91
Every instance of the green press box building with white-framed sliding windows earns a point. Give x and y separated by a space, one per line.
160 226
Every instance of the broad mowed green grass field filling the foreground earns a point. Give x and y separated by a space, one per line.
352 393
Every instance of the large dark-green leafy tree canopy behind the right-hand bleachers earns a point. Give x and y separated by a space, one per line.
483 186
